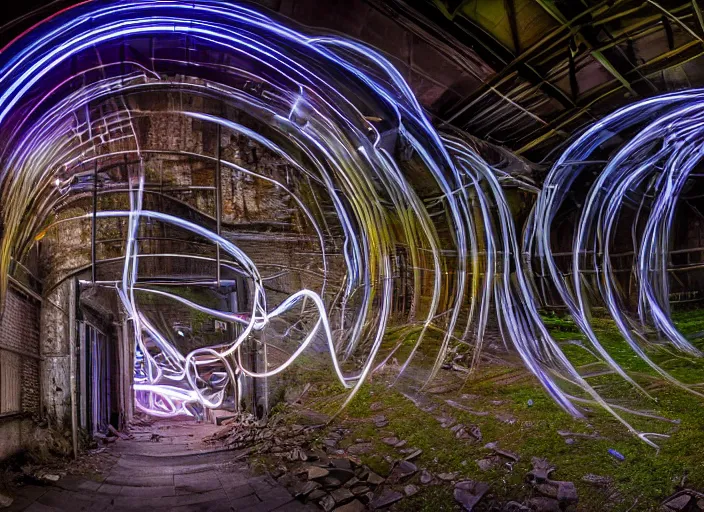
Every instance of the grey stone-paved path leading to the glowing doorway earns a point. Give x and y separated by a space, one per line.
177 473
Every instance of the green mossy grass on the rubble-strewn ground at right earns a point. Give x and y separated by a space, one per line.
514 410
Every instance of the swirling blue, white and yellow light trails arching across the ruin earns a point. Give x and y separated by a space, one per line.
348 125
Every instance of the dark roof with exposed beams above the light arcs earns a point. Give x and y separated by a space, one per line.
524 74
